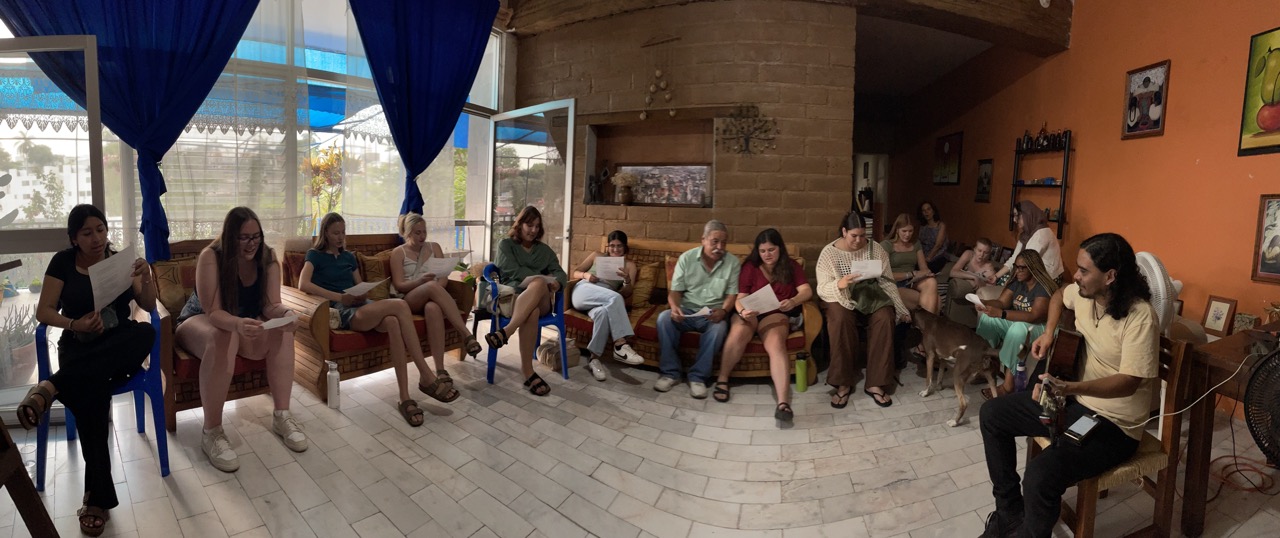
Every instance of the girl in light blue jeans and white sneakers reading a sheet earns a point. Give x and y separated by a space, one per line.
607 282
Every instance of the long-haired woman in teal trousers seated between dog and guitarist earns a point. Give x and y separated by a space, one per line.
1018 317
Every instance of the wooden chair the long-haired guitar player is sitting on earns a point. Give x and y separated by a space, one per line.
1155 455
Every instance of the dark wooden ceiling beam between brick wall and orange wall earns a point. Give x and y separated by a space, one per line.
1021 25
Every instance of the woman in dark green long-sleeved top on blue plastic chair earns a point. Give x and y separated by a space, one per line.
524 261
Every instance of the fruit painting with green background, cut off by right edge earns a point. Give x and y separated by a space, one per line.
1260 122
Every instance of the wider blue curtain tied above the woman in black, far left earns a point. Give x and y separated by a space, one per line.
158 61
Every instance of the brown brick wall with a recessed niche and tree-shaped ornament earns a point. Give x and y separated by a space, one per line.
794 60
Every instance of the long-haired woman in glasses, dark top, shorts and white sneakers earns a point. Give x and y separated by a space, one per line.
237 290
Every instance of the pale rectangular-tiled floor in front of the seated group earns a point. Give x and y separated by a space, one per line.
611 459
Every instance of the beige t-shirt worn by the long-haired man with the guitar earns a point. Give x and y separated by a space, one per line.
1126 346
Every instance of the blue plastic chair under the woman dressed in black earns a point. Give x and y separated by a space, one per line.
147 382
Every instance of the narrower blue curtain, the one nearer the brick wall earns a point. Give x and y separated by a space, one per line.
424 57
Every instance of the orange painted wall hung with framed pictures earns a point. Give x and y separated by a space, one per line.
1185 197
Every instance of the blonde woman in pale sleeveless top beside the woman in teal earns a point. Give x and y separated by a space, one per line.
424 291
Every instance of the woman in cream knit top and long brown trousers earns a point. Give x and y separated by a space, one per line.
856 298
